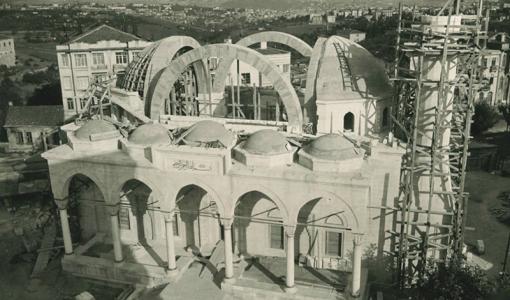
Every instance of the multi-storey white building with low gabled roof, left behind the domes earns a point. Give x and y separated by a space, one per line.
99 54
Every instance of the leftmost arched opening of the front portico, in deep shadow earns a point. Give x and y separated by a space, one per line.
86 208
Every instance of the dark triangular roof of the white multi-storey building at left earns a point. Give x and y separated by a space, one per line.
105 33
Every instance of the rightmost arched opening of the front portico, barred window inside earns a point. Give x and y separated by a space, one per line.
322 244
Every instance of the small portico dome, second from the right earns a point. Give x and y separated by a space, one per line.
266 141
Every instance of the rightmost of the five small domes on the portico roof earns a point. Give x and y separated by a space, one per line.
332 147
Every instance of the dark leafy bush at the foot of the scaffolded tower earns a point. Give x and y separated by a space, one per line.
455 280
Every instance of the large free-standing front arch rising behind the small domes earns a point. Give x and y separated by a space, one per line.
161 86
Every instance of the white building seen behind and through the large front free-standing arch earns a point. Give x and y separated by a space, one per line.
250 76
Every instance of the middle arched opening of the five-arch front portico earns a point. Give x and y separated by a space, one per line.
197 226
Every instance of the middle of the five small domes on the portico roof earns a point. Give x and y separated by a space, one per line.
208 131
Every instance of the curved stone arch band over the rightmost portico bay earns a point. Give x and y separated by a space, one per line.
349 217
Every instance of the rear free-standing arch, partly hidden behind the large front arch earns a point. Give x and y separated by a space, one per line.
267 36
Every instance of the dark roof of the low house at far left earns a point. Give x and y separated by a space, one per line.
44 115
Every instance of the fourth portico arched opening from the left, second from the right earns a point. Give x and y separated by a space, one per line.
259 236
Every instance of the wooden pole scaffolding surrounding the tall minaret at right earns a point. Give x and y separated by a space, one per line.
432 115
